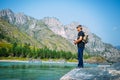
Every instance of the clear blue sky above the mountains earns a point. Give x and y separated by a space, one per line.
102 17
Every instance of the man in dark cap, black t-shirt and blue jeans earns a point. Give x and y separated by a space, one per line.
80 45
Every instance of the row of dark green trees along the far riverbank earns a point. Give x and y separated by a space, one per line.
26 51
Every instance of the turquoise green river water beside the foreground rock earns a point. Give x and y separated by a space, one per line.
34 71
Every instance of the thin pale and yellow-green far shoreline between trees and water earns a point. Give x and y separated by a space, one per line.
18 59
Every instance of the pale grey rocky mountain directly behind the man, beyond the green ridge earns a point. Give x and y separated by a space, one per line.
95 45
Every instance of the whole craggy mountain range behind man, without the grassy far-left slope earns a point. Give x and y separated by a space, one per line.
50 32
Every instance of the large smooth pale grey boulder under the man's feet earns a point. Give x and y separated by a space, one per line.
87 74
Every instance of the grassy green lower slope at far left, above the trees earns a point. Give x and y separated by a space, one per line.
10 33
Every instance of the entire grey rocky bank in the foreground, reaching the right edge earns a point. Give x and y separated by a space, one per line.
102 72
